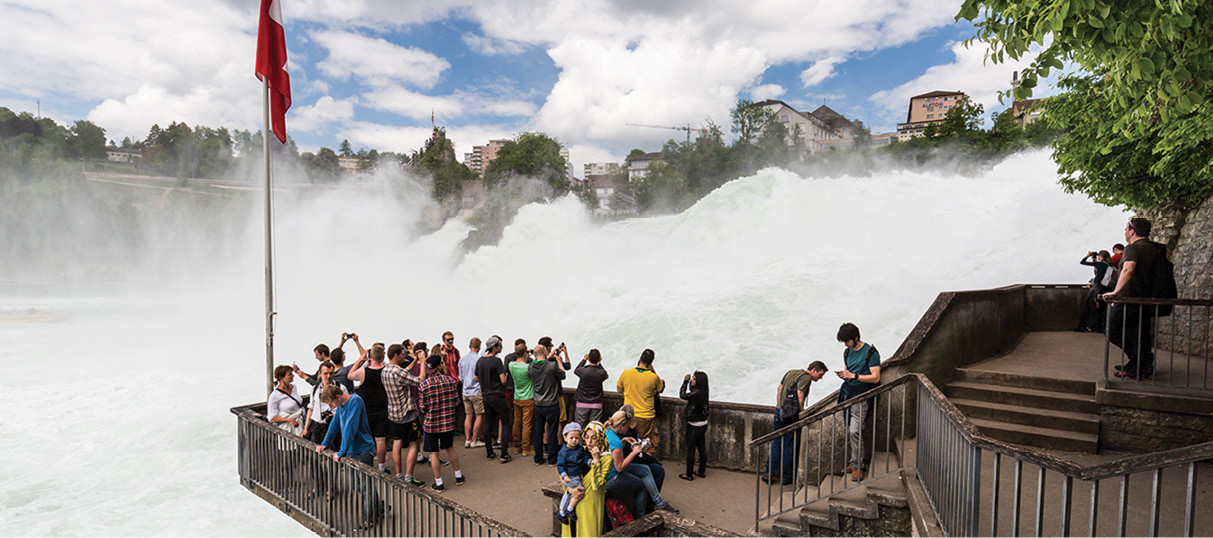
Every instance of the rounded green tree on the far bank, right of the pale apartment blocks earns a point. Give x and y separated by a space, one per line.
529 154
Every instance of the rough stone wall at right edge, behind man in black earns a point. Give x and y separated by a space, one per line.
1189 239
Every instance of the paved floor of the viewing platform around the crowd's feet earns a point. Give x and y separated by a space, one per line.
512 493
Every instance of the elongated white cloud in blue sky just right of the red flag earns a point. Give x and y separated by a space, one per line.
378 61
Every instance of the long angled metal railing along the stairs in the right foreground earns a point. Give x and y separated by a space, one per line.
969 477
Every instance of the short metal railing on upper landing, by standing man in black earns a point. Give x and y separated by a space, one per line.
1170 336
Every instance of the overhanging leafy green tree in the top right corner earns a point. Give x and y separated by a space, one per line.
1151 79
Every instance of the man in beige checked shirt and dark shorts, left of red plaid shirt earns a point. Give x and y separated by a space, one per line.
402 411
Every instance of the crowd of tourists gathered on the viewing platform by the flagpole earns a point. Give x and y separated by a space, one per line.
403 400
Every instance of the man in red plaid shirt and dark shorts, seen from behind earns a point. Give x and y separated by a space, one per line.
440 398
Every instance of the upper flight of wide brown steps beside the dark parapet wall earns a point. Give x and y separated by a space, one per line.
1027 410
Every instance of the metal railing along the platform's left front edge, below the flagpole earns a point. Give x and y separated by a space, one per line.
348 497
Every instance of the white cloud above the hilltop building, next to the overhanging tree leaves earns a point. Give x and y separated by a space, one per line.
969 73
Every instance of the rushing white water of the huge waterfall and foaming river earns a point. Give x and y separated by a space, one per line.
117 414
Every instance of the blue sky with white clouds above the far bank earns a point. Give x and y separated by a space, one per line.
373 72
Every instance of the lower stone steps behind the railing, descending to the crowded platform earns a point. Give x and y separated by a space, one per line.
878 508
